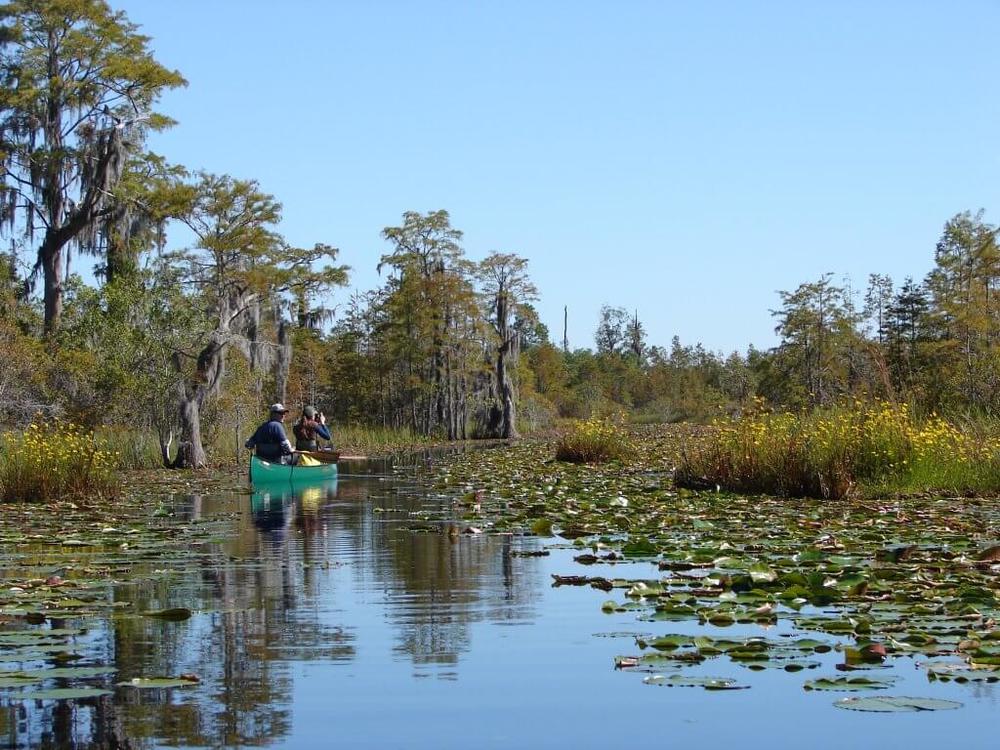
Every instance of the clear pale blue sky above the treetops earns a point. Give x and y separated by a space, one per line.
685 160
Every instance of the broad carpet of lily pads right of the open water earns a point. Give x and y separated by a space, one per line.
878 579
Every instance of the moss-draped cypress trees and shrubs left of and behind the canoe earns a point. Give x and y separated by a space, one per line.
169 336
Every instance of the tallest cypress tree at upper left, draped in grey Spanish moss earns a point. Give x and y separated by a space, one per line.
78 87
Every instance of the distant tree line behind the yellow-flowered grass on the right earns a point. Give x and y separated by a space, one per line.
932 343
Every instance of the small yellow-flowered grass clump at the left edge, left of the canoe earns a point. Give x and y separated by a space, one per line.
53 460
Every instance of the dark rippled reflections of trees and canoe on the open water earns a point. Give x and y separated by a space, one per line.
263 602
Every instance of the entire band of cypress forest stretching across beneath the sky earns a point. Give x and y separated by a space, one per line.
148 296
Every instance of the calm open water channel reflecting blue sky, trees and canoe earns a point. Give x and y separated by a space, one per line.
357 615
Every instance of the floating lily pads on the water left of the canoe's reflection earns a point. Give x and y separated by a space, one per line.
71 563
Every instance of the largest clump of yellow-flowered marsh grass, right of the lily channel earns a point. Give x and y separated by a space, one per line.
874 448
